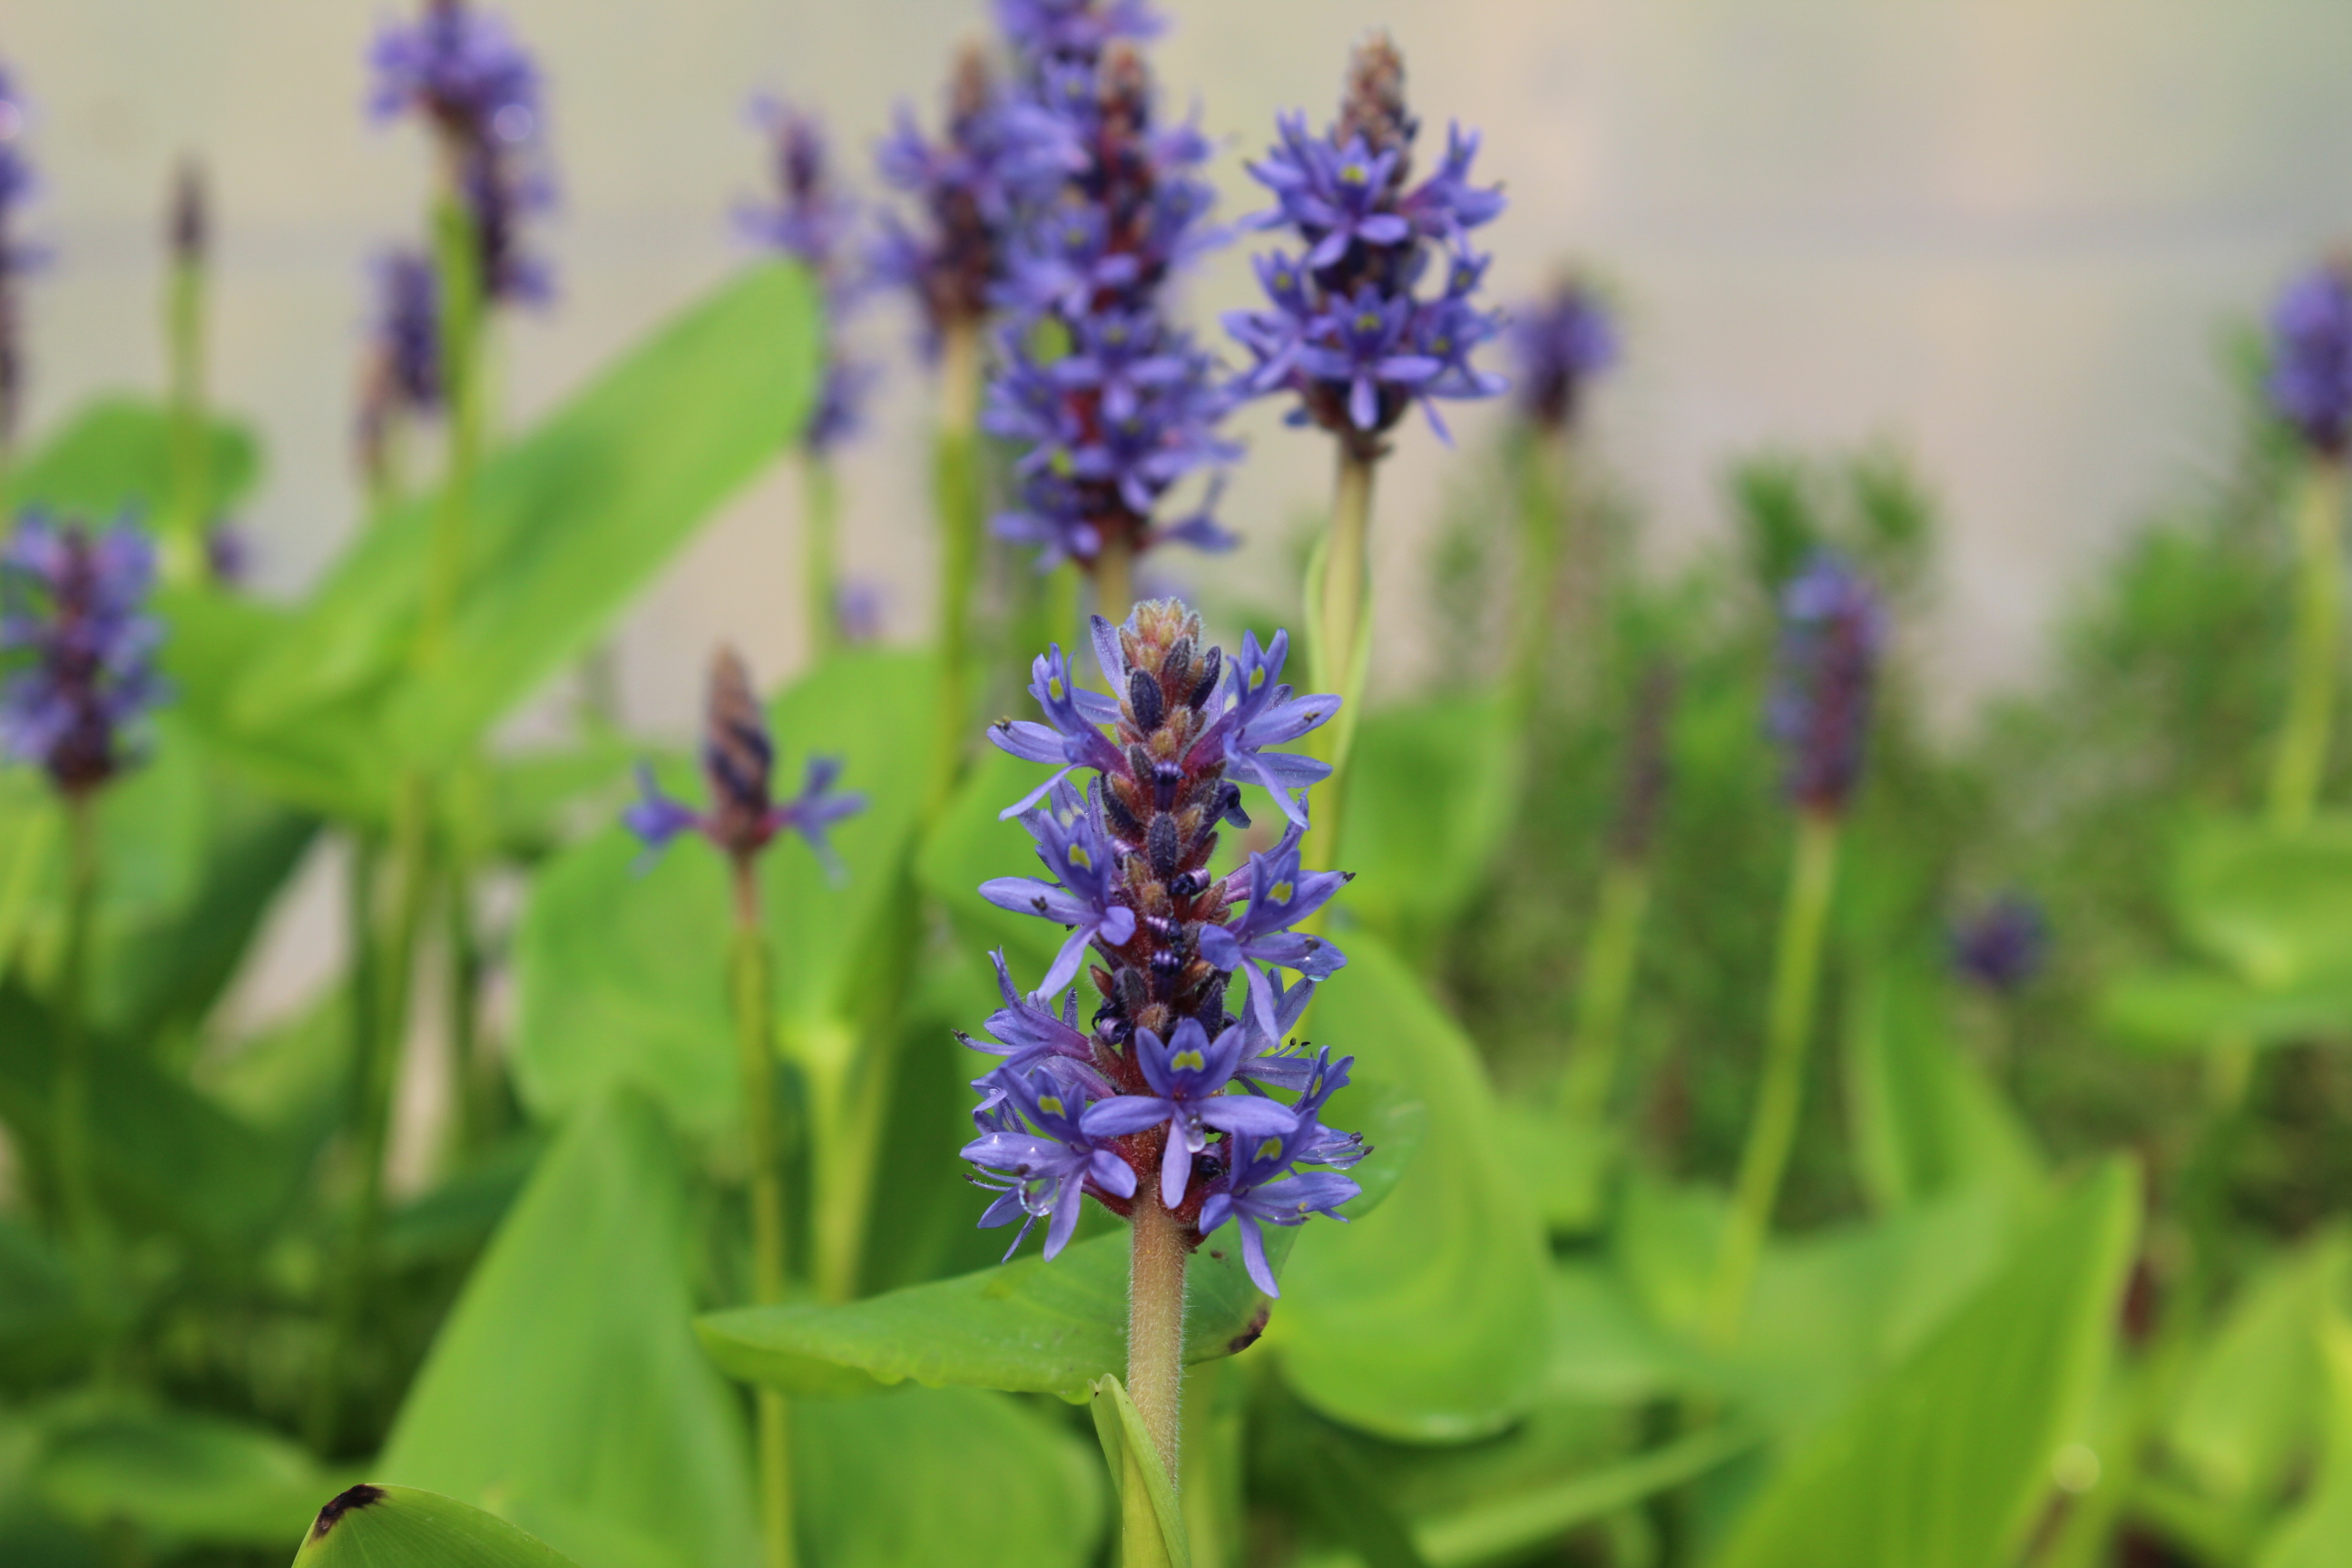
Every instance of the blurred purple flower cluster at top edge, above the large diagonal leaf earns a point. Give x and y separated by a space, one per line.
481 91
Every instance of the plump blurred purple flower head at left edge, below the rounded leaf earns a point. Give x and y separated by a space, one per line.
76 650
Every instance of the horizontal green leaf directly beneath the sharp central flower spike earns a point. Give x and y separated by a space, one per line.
1027 1327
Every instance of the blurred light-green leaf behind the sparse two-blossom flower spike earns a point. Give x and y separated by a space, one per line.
622 958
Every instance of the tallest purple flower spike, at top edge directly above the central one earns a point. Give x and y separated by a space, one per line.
1109 398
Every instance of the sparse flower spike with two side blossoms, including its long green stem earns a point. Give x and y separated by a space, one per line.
742 822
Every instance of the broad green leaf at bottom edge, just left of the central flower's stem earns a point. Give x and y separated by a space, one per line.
907 1477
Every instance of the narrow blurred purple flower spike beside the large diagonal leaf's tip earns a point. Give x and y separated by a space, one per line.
813 222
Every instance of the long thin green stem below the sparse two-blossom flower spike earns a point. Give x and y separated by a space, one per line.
756 1057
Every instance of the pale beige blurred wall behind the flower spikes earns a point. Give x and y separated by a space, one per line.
2007 234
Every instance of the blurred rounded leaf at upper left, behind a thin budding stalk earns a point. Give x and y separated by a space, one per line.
116 455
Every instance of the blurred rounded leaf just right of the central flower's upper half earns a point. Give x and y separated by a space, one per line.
1429 800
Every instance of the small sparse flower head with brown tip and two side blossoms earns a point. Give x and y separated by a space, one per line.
737 765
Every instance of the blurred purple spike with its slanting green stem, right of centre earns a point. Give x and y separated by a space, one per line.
1833 638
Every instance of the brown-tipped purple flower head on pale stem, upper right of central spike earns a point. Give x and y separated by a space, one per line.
1349 328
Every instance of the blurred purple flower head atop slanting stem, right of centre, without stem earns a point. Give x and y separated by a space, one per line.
1833 634
